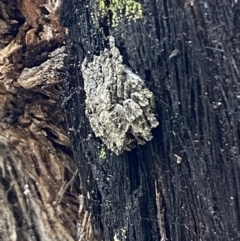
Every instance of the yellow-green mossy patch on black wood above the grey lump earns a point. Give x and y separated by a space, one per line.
121 8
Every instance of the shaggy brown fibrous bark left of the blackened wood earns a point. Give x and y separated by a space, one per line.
39 186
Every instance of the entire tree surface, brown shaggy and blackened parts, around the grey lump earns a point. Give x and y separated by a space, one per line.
182 185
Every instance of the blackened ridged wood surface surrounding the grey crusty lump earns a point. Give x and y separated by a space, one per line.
184 184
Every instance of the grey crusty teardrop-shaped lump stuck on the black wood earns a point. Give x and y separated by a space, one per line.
119 106
